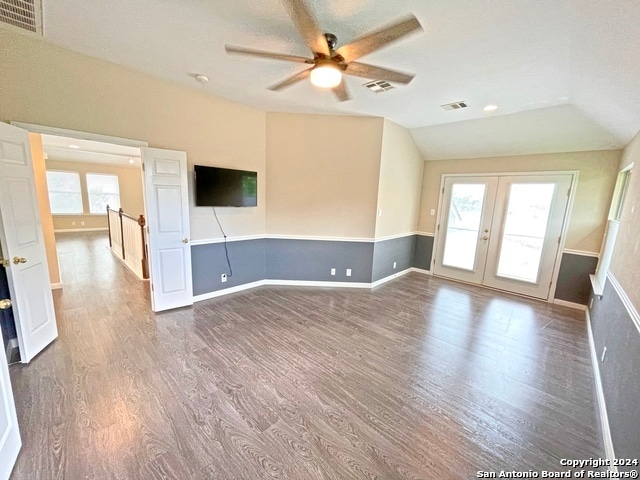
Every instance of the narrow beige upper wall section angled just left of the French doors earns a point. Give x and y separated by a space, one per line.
400 182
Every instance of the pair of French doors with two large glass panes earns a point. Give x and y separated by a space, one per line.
502 231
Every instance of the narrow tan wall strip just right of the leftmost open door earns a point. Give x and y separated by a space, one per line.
40 177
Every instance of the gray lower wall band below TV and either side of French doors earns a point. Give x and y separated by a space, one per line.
312 260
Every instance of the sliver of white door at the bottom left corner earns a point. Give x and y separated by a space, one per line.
10 442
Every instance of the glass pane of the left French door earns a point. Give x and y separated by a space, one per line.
465 214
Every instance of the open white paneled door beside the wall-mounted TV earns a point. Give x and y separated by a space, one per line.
167 204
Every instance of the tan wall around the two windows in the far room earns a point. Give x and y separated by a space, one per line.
131 201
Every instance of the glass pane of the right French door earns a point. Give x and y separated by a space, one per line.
524 231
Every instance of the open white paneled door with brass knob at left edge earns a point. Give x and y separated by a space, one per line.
23 245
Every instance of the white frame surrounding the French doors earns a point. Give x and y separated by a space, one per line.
565 225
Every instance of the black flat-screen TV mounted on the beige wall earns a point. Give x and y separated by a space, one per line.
224 187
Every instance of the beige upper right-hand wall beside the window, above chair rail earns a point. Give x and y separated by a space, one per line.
625 264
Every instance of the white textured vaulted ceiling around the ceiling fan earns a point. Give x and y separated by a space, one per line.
551 66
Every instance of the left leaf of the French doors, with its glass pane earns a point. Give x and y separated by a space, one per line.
465 220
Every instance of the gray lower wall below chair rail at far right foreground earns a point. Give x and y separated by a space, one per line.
613 326
